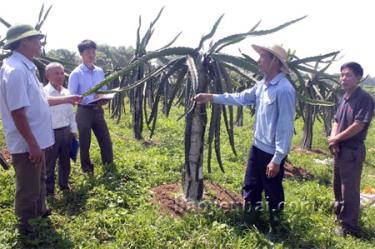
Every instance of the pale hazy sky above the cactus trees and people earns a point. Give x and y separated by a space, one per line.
331 25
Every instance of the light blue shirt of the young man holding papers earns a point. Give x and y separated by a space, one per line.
83 79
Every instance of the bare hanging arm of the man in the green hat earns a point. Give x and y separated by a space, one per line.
22 125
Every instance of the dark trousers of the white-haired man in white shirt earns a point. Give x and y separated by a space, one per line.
60 150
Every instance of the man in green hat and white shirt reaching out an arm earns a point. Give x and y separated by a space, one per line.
26 121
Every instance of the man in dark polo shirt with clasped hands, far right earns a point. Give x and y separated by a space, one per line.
346 143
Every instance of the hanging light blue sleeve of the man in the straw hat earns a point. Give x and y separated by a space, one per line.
285 124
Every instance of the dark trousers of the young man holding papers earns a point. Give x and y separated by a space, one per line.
93 118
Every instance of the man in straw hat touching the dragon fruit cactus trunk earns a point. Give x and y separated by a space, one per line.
274 100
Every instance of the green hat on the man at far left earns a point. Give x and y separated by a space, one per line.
18 32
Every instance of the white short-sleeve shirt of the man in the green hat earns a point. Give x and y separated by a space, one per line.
20 88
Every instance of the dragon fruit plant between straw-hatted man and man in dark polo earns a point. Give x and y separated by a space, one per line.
318 92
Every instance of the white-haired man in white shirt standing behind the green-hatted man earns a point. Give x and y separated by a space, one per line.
64 127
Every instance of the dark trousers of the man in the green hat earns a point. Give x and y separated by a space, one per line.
30 199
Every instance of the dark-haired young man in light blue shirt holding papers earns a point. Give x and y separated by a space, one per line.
90 114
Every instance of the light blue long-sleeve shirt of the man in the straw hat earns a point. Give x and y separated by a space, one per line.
274 114
